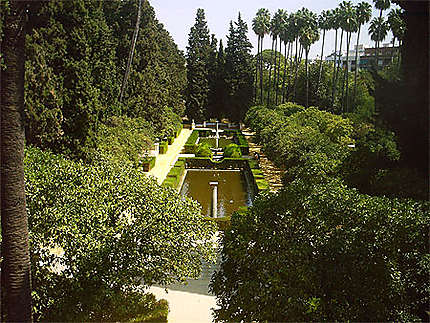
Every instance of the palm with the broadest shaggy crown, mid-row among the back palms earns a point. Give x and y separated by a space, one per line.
309 34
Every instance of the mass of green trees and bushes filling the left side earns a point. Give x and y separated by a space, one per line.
100 230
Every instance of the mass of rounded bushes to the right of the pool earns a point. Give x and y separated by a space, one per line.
320 249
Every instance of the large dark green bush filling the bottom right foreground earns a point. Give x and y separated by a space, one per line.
334 254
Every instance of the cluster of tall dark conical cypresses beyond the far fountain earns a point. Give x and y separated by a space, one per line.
219 83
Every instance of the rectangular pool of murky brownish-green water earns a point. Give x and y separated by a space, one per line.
233 189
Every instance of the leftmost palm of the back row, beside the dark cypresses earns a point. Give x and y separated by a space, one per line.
260 25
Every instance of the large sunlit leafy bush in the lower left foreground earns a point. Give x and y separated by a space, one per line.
95 228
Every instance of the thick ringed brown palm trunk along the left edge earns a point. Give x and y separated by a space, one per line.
15 267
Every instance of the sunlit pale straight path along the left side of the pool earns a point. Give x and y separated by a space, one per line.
164 162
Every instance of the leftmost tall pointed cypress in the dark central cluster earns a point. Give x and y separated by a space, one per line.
198 50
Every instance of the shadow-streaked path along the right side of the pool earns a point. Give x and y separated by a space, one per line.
272 173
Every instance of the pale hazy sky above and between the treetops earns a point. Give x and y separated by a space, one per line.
179 16
